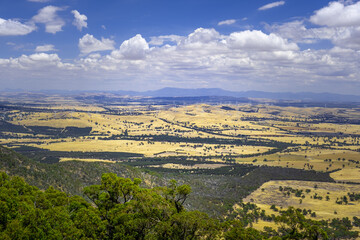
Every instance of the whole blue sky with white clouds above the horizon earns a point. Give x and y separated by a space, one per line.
274 46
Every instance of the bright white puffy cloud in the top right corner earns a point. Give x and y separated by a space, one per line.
337 14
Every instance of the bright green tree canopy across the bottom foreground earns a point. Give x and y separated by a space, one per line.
120 209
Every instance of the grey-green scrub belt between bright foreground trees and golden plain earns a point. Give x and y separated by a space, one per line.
215 190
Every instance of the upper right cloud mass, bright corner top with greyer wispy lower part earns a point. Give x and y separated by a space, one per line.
339 22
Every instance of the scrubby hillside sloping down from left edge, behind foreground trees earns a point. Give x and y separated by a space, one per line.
70 177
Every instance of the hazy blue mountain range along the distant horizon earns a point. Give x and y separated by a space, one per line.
201 92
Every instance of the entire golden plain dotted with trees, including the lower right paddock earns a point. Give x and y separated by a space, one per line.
309 138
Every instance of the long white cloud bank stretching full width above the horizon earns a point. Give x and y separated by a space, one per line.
240 60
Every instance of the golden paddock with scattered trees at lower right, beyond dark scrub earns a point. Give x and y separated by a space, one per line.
269 194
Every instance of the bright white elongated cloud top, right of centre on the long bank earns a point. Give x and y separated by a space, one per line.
259 41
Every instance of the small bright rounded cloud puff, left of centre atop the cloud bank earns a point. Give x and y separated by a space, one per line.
133 49
